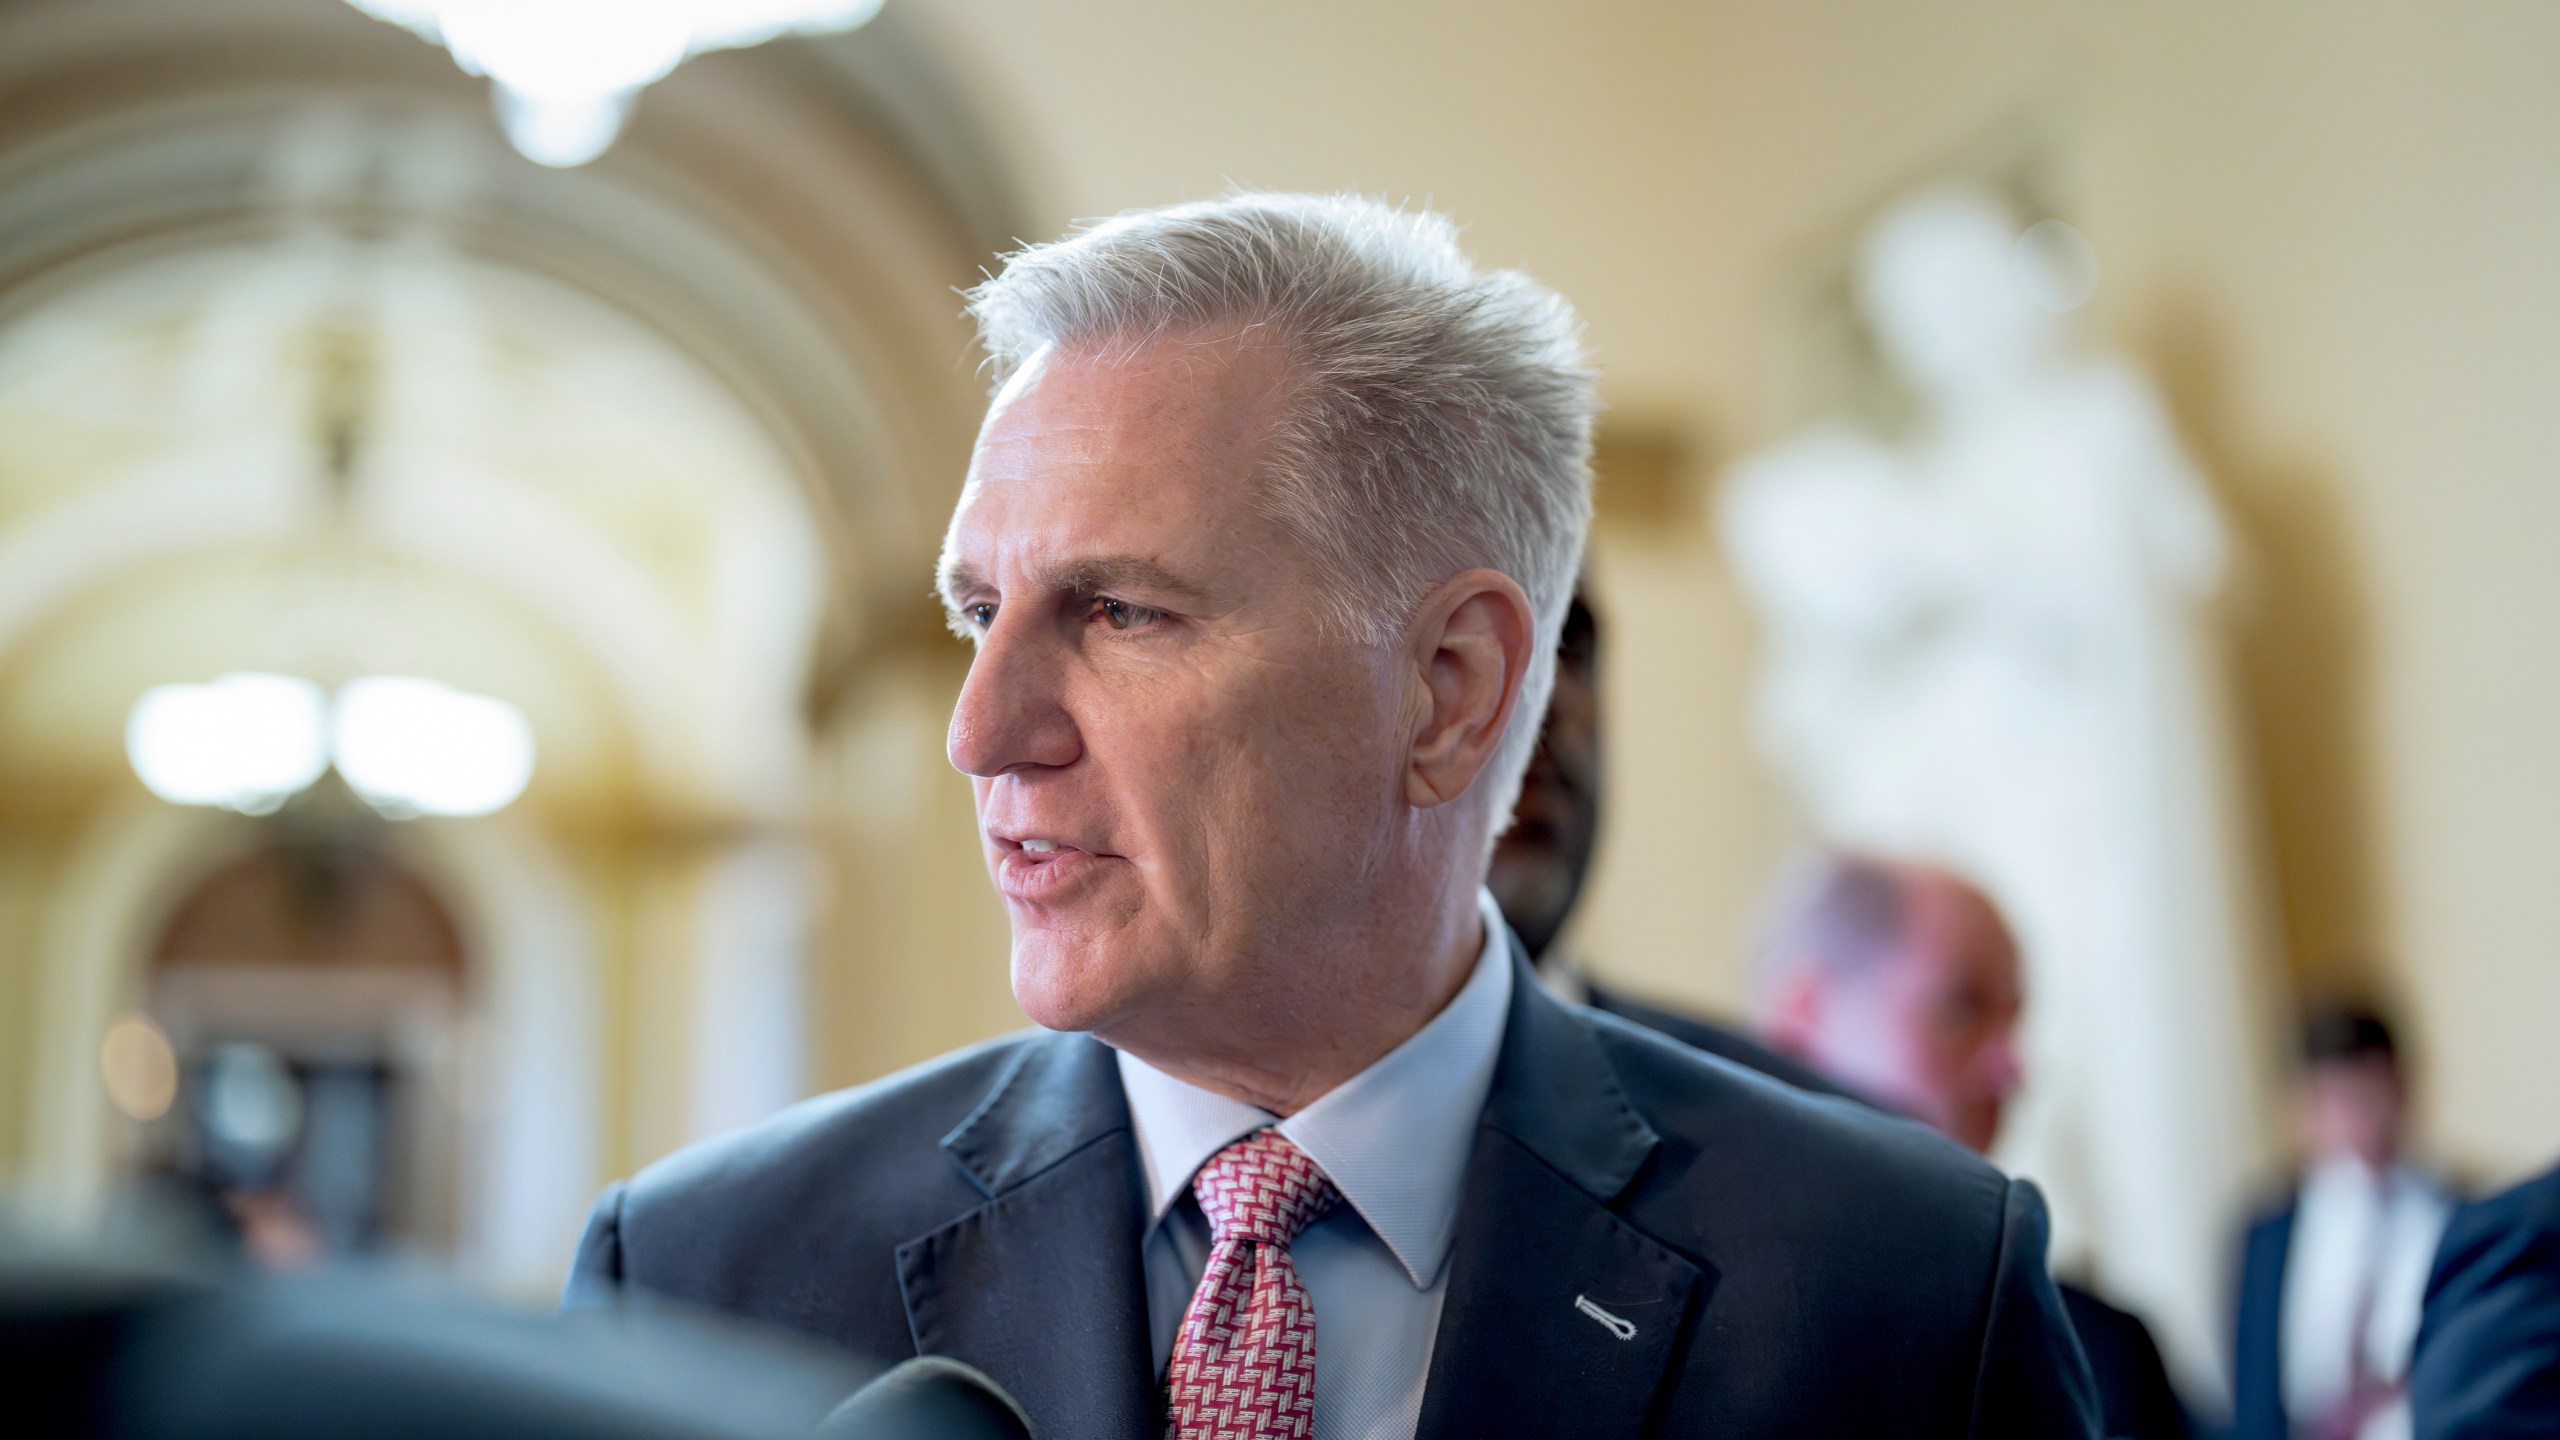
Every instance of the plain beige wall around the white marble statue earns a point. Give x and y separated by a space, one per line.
2326 224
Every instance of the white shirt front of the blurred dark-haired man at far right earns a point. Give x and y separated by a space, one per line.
2362 1252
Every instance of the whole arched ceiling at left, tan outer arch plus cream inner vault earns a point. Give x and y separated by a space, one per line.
657 450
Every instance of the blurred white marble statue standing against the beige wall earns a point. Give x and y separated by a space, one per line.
1990 644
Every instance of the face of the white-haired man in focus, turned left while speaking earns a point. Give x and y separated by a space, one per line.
1179 773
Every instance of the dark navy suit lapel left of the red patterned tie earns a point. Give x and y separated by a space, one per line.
1041 1288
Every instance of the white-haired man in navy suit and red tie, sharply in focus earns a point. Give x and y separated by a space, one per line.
1266 550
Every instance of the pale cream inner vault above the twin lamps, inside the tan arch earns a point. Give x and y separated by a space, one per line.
534 488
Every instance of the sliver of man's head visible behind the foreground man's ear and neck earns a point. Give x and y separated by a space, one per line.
1540 865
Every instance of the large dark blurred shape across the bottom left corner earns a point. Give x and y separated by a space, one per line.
93 1352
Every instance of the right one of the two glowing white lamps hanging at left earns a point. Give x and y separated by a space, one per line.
416 747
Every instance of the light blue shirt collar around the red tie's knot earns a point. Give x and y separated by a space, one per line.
1394 1139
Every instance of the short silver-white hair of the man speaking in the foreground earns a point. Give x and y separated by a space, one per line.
1443 416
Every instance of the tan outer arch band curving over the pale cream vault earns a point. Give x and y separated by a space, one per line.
795 217
